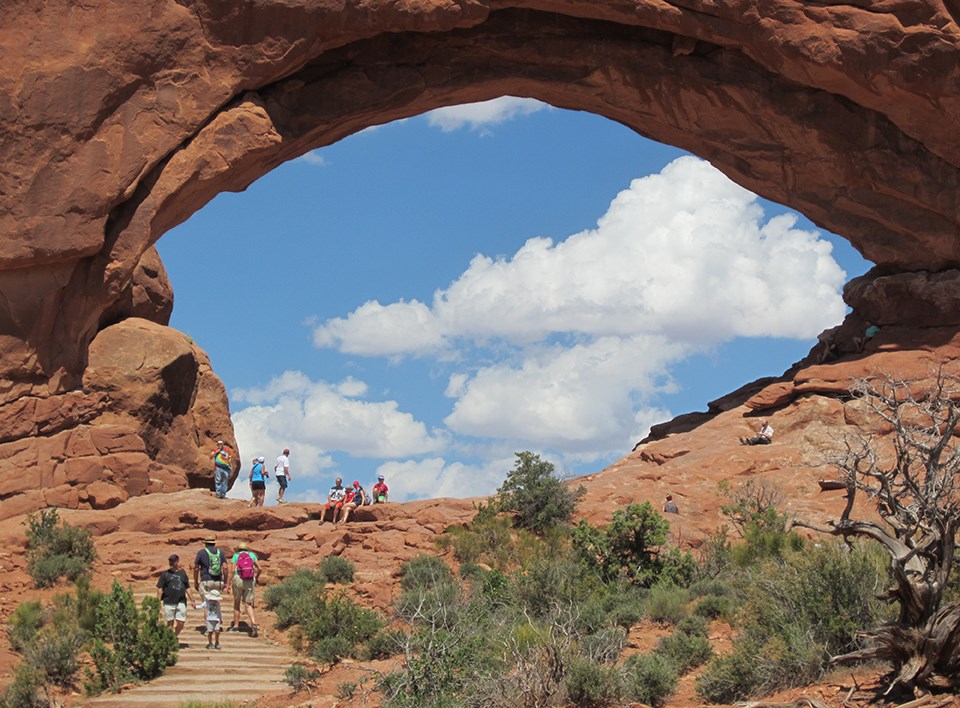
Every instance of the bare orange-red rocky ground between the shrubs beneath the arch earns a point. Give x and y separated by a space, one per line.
688 458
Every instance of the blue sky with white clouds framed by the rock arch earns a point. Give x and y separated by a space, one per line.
425 298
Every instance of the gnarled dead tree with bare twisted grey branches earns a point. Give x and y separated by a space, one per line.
907 465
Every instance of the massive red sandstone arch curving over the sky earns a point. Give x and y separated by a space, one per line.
119 120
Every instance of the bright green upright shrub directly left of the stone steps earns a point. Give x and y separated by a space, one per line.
130 644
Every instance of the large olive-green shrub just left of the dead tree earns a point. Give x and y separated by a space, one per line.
797 613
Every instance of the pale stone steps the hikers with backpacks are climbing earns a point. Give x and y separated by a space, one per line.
243 670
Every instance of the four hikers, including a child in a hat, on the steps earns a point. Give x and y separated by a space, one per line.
214 576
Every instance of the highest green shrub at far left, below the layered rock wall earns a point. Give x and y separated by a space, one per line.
56 549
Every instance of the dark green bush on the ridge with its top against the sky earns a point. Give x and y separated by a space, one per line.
536 497
